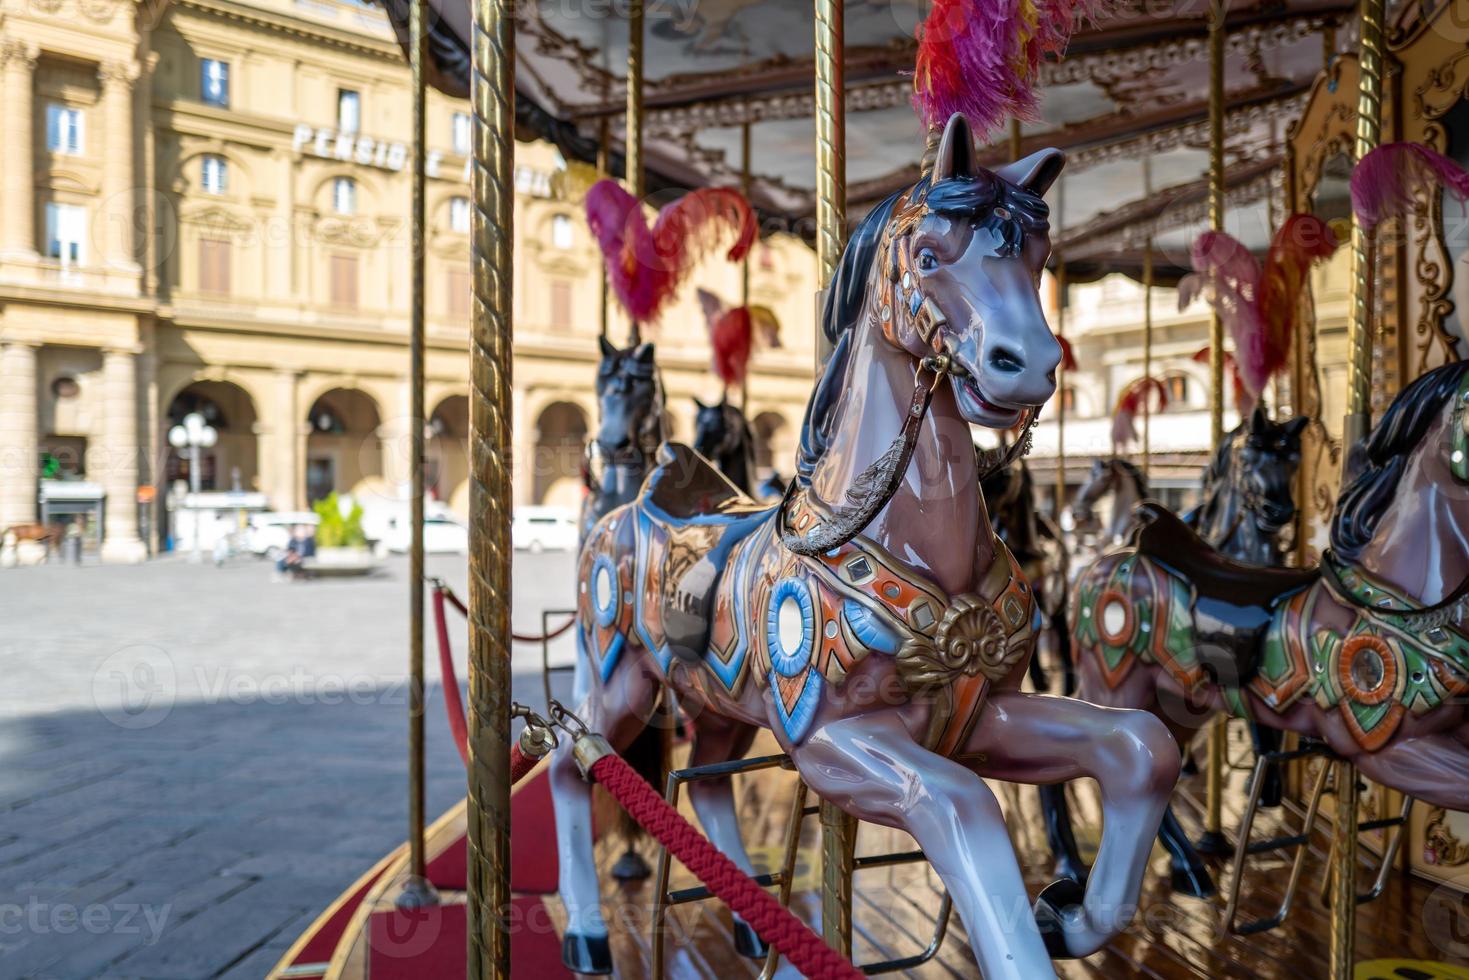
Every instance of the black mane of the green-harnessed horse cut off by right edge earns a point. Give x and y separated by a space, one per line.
1380 462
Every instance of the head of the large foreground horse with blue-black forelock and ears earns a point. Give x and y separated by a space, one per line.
963 256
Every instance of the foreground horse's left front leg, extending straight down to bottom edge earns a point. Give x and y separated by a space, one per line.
872 768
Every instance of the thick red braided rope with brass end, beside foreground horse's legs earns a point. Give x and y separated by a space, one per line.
756 906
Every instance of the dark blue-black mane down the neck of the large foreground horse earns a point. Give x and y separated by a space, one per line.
844 303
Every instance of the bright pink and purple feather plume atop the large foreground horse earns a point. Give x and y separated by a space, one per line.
982 58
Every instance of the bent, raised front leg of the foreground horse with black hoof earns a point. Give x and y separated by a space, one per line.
1133 759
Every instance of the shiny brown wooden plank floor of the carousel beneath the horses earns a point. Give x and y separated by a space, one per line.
1172 938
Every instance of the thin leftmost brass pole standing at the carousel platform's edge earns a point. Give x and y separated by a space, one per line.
418 890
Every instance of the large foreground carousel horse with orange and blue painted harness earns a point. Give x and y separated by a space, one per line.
872 621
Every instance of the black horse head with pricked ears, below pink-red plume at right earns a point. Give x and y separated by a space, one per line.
1258 464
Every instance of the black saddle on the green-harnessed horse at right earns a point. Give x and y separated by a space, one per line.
1233 603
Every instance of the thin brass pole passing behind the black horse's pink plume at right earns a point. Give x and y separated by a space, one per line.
1213 841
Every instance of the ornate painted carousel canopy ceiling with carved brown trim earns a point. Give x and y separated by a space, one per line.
1129 105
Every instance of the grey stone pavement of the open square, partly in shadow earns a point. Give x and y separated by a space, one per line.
195 760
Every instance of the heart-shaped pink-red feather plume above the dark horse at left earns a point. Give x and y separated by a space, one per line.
646 267
